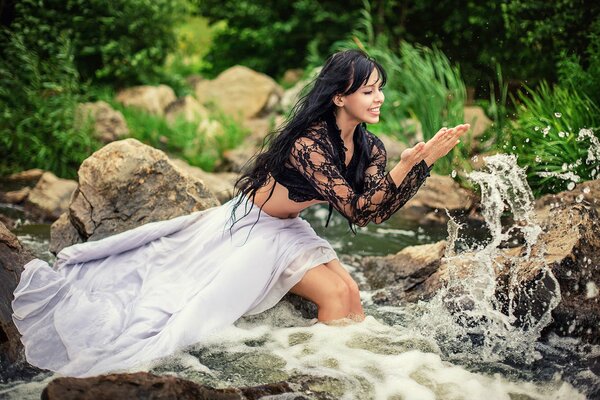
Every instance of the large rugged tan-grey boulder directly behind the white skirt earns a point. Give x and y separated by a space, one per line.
126 184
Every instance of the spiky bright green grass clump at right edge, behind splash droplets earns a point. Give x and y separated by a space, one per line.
546 137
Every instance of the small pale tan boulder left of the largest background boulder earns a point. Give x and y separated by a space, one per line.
152 99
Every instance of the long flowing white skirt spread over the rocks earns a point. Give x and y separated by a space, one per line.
142 294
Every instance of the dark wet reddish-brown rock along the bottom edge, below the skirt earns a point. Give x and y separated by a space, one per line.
142 385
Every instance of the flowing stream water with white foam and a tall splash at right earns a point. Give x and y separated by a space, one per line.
462 344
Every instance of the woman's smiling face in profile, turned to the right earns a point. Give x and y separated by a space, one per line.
364 104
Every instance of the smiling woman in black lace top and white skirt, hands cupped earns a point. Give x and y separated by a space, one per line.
142 294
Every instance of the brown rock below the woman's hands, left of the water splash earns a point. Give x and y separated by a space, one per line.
439 193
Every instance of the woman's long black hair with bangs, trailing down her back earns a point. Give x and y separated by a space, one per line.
343 74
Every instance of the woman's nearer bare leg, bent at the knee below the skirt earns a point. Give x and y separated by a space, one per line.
327 290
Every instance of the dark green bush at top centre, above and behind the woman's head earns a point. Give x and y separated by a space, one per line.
272 36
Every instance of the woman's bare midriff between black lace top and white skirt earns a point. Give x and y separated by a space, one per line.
280 205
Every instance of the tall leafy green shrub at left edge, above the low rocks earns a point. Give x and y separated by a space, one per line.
37 102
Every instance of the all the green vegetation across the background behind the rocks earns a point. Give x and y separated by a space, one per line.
524 61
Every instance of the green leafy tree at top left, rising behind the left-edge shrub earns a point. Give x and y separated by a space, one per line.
122 42
